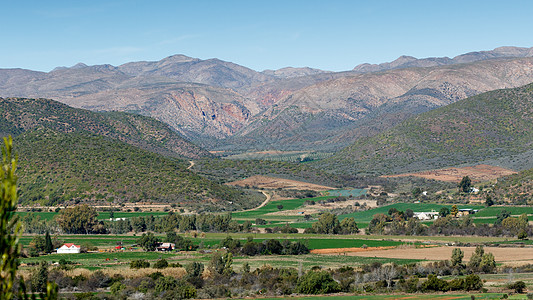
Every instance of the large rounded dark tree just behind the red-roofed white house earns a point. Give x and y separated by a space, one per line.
78 219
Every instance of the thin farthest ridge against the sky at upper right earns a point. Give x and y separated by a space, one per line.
412 62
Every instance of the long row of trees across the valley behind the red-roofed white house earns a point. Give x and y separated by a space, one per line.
82 219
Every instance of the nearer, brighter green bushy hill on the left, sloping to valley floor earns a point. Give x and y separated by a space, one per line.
57 167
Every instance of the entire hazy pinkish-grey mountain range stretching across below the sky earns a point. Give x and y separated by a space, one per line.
226 106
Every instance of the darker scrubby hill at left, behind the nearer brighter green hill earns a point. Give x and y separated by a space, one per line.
18 115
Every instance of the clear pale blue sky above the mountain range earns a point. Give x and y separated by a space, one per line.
331 35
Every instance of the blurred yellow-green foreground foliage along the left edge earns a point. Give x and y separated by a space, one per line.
11 229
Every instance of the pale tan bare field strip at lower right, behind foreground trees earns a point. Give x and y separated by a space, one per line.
445 252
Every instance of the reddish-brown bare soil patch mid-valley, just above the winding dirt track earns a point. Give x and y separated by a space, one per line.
272 183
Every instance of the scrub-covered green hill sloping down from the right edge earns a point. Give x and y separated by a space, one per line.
492 125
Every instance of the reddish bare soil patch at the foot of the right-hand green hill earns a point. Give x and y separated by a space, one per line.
476 173
